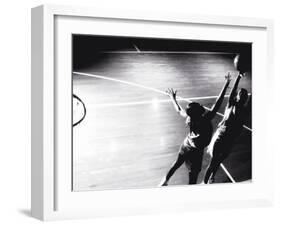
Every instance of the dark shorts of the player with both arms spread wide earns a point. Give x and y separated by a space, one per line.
192 157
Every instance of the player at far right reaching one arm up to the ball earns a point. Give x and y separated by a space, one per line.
228 129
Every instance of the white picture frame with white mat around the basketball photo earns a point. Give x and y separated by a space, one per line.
52 197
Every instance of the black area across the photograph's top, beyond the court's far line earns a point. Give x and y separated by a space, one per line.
87 50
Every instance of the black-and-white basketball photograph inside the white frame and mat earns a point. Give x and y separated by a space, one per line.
151 112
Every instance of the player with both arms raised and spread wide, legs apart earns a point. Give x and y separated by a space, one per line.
199 136
